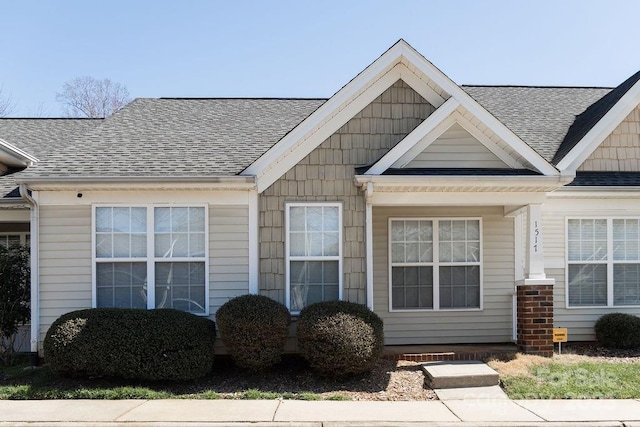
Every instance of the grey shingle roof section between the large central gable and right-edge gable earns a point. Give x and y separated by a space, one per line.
540 116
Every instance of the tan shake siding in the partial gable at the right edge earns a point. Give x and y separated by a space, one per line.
620 151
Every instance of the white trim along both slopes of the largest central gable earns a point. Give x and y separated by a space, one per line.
401 61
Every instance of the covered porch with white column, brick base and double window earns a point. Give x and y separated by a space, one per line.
459 260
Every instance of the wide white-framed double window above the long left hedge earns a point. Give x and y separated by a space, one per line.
151 257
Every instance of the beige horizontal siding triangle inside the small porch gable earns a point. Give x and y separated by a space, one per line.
456 148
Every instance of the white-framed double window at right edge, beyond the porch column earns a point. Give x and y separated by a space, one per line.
603 262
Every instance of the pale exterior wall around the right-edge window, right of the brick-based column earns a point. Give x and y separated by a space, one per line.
579 321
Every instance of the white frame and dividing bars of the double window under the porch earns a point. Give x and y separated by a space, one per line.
435 264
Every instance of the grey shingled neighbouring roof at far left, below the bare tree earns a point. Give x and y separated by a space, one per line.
39 137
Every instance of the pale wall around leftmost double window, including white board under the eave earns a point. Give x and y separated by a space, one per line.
66 235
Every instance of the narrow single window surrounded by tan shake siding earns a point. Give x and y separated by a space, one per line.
313 253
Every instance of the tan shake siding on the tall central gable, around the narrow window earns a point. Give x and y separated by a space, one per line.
326 175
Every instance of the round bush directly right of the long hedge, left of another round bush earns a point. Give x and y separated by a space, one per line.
254 329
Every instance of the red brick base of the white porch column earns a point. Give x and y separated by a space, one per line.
535 319
